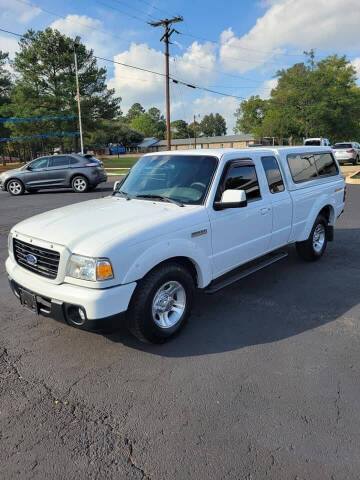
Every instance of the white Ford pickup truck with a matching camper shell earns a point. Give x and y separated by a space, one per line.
178 221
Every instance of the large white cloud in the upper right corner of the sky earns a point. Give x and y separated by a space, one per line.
302 24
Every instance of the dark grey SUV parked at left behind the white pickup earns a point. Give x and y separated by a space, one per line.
79 172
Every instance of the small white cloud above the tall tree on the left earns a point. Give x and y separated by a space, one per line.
88 29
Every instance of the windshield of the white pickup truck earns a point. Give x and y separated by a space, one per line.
183 178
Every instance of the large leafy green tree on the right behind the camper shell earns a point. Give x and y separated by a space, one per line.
312 99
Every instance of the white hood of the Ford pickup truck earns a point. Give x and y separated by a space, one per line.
93 227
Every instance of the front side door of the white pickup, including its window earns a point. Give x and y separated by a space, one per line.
240 234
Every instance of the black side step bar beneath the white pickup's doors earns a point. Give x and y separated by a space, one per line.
243 272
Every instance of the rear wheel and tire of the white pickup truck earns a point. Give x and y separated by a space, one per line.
314 247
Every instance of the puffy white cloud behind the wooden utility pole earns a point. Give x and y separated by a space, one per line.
149 89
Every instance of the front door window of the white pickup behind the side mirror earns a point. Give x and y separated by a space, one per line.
243 177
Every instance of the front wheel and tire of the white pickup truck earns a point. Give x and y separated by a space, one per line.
152 317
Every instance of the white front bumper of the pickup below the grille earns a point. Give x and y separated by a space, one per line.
54 300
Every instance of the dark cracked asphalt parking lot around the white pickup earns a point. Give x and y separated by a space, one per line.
262 383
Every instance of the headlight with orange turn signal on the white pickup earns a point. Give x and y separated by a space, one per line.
87 268
